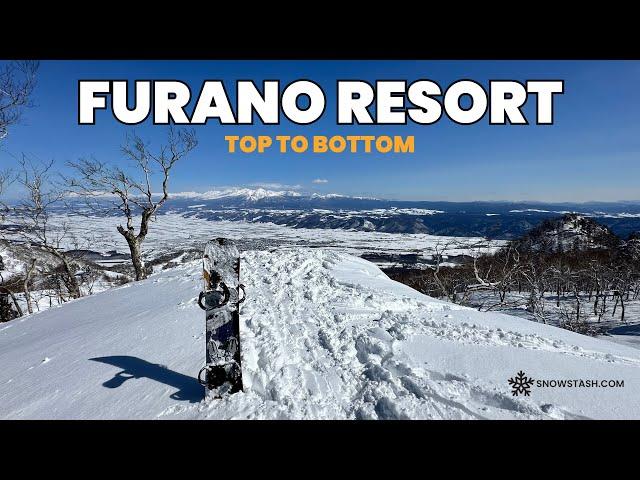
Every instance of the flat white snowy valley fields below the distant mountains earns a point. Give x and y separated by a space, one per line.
173 232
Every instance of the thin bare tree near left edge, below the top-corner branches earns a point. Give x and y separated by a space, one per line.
33 215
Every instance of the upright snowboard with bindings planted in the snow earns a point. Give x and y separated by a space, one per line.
221 301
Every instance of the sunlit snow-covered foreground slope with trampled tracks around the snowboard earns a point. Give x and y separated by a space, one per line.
325 335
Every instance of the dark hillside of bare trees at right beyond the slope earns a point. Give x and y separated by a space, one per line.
570 271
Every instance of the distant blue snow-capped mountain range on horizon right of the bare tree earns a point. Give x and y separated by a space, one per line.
294 208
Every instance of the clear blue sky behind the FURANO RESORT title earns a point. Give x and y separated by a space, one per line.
590 153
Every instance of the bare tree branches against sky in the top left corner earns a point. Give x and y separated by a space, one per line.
17 81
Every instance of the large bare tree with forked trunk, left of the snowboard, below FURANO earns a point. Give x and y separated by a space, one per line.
133 192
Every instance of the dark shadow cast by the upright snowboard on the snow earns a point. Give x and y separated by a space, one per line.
133 367
